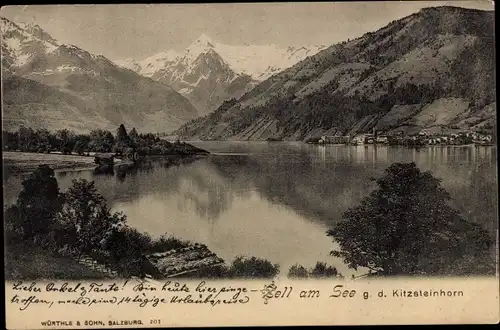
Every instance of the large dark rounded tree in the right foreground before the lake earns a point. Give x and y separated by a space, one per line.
407 227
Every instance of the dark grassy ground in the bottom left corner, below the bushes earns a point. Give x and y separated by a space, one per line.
29 262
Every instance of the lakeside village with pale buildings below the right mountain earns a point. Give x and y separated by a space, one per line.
423 138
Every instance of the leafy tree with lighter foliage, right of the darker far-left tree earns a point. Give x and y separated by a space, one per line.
87 219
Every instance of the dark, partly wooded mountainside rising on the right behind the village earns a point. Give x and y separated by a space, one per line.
433 69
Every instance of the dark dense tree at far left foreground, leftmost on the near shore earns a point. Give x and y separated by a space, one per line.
36 206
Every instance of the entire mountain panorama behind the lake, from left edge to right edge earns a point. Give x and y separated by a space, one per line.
431 71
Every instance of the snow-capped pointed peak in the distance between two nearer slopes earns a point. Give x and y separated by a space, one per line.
208 73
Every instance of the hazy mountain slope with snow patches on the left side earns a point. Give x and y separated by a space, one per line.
71 88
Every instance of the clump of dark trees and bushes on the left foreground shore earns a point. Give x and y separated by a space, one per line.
80 223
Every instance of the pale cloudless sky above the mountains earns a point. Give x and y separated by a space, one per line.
139 30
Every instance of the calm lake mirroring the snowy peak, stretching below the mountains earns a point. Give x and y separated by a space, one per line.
276 200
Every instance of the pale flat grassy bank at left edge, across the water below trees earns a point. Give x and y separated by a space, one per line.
23 162
